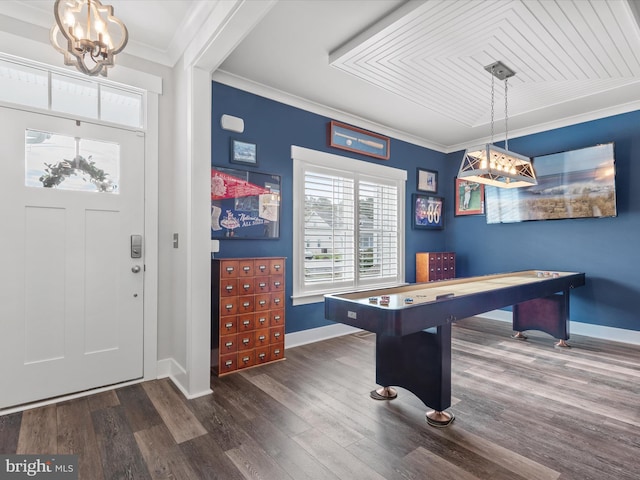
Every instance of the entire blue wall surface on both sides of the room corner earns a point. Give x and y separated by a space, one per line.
605 249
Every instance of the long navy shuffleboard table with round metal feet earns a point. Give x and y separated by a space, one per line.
413 322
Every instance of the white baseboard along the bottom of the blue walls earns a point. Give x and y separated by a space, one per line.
602 332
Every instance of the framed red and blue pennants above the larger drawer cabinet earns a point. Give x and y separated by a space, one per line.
244 205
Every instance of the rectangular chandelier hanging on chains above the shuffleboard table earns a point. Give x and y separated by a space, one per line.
492 165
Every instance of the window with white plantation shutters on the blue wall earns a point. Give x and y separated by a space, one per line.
351 215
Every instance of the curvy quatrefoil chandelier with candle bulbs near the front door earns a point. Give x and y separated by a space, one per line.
88 35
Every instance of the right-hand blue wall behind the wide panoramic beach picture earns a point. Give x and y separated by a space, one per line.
606 249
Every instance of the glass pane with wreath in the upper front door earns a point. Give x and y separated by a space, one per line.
70 163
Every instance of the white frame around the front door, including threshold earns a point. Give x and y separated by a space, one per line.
150 235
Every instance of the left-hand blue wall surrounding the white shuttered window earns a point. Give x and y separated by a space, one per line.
274 127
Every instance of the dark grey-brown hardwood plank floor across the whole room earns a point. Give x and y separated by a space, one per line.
524 410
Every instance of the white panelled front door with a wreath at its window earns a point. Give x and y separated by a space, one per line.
71 295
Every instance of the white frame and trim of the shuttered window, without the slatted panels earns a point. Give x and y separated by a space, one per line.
303 159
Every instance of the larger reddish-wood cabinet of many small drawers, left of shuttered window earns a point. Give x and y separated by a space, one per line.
247 312
